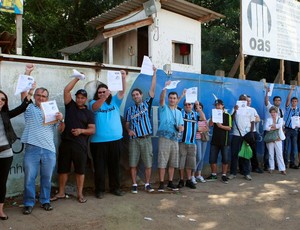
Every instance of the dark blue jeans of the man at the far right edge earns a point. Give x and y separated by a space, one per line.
291 136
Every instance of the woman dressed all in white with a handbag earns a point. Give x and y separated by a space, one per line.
275 123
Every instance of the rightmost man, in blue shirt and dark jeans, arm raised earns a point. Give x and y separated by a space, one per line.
291 133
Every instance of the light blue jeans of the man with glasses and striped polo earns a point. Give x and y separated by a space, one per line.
37 159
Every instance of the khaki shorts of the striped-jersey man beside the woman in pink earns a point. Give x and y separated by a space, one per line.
187 156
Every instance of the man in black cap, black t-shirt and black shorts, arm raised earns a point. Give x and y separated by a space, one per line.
79 125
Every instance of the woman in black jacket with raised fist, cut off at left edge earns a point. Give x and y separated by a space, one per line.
7 138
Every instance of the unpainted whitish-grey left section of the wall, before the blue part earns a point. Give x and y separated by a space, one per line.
53 75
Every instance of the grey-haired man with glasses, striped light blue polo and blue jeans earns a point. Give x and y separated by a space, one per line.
39 150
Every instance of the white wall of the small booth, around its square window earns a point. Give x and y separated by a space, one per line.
175 28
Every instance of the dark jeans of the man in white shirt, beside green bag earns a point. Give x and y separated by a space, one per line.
236 144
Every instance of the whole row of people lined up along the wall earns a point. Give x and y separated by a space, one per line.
183 139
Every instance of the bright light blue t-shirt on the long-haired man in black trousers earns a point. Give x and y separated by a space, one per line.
107 121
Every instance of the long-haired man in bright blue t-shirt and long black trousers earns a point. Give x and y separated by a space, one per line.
106 142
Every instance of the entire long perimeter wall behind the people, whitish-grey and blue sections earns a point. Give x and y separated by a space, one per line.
54 75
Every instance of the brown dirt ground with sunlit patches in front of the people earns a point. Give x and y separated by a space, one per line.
269 201
